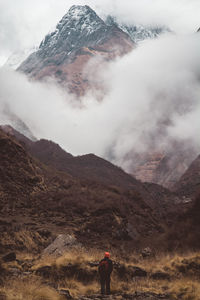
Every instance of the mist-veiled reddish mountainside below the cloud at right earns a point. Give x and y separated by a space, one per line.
166 167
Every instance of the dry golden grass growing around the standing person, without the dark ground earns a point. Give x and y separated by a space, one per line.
182 284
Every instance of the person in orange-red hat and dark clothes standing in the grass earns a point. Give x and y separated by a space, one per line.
105 269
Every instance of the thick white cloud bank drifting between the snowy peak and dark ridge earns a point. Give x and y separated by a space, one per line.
153 97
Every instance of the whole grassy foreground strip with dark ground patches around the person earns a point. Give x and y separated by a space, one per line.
42 278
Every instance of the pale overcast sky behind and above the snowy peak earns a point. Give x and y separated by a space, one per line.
24 23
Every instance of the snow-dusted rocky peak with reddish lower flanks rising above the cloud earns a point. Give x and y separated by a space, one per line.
65 53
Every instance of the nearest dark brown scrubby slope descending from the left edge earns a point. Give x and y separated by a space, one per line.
37 197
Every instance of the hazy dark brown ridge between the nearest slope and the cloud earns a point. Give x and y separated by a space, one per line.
95 169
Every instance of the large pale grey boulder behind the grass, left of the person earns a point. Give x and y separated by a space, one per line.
61 244
